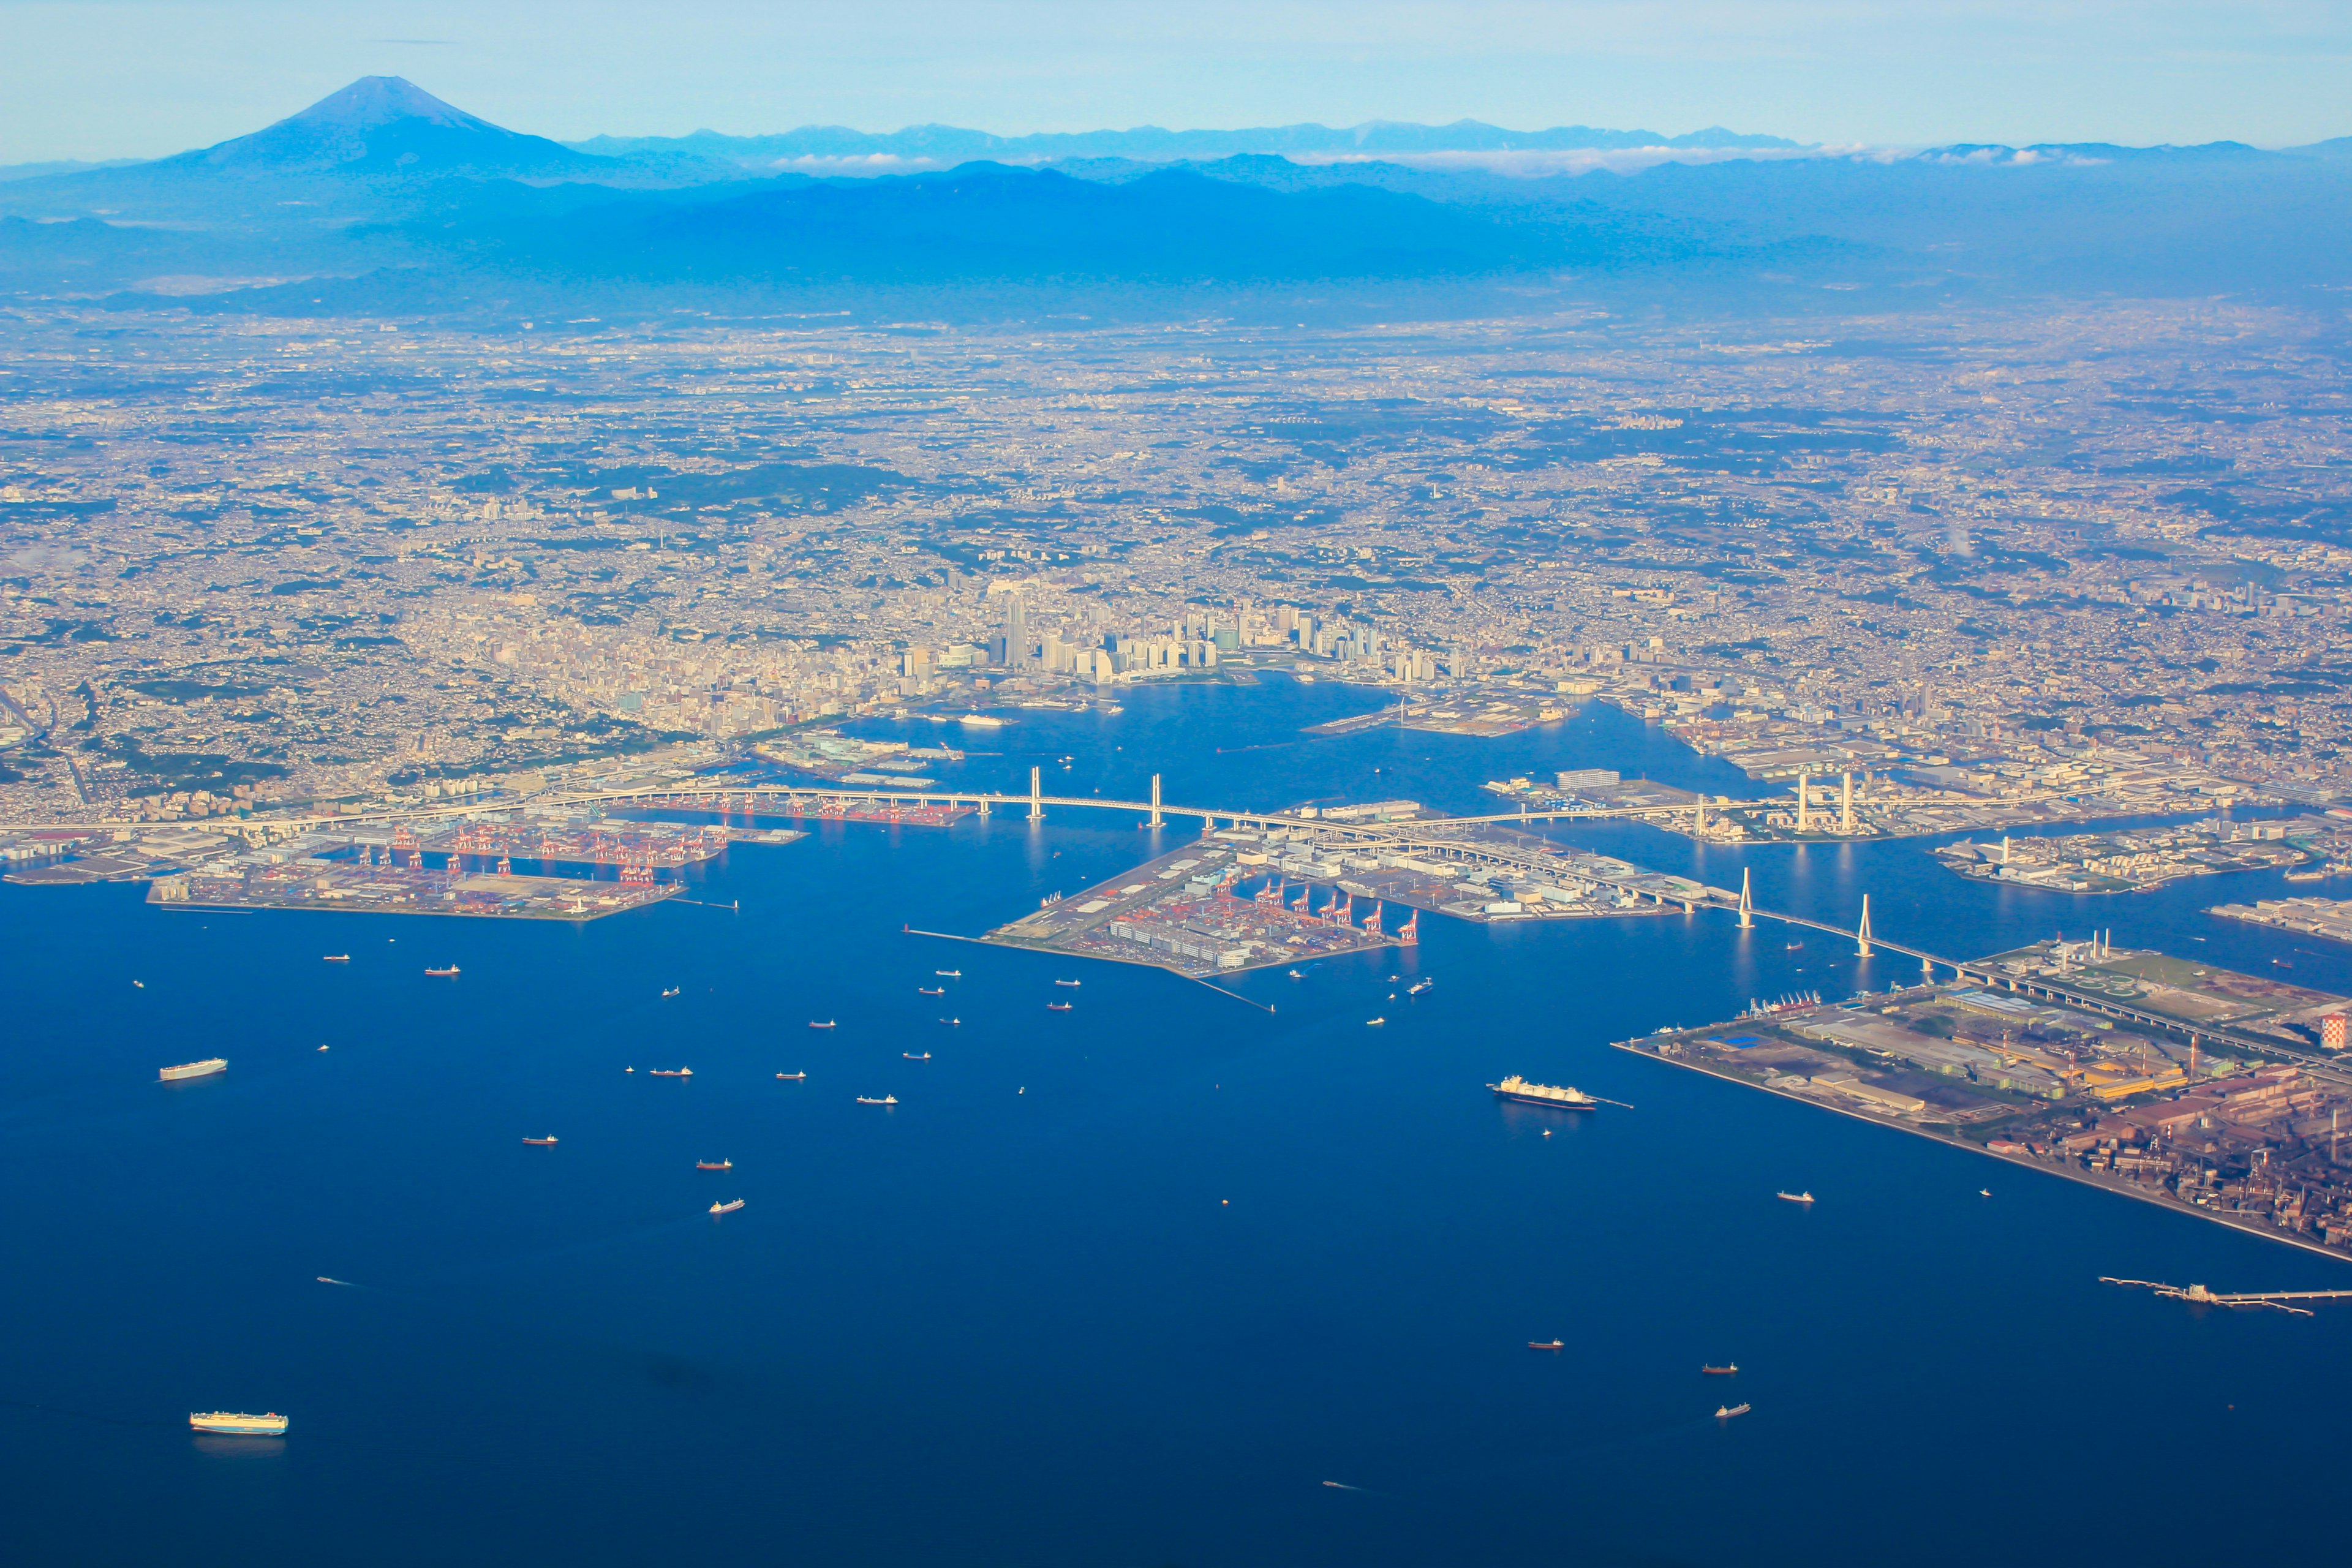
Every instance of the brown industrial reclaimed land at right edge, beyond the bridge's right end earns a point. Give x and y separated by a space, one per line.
2174 1111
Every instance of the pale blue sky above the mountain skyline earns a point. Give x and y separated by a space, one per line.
126 79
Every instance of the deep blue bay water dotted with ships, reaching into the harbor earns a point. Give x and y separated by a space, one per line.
1163 1280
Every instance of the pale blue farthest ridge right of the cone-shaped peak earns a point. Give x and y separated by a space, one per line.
1151 142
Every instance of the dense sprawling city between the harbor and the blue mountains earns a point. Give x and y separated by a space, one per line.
262 563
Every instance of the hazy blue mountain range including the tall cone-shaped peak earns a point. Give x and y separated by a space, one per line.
387 182
